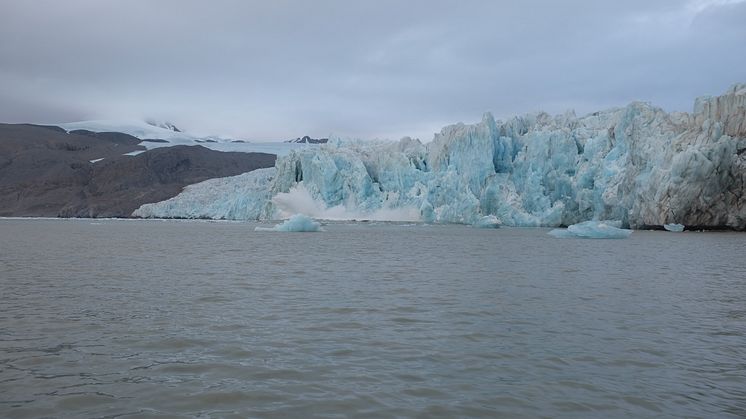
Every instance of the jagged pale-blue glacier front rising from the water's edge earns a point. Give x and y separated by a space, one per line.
638 165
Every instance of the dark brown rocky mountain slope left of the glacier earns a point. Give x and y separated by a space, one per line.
44 171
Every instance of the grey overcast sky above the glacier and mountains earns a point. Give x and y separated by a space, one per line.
276 69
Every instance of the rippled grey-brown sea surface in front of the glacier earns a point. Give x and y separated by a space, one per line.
134 319
